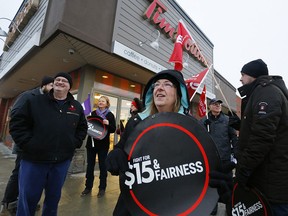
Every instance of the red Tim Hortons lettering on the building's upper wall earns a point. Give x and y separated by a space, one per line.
154 12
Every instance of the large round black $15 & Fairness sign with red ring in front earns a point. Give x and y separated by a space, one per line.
170 156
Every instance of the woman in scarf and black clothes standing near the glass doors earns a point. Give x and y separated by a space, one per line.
99 146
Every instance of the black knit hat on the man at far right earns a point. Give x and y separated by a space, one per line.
255 68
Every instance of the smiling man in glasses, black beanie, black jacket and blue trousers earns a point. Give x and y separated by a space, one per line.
46 154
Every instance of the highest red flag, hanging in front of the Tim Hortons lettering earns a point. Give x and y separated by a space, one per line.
177 54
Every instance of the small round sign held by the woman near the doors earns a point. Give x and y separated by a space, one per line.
96 128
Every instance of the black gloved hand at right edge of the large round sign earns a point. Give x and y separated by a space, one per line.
222 180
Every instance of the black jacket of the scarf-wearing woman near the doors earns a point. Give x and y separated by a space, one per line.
105 142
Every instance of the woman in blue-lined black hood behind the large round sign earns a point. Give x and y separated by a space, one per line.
165 92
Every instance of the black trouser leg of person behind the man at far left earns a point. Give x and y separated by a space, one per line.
12 190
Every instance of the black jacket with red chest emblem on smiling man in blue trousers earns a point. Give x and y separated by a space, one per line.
46 131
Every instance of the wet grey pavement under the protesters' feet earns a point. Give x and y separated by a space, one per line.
71 203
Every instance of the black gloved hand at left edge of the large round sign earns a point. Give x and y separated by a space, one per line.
117 161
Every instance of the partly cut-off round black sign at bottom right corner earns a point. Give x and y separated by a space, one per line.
249 202
